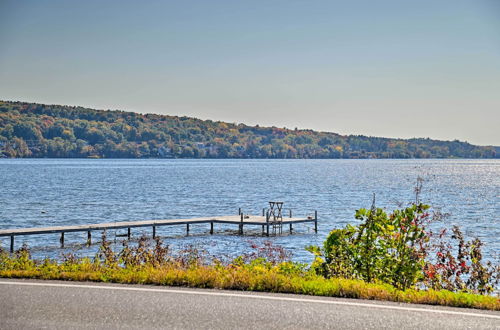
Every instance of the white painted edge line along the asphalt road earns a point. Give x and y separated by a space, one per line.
252 296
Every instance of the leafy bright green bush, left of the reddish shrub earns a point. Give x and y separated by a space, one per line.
389 248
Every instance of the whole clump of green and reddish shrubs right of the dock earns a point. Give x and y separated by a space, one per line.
398 249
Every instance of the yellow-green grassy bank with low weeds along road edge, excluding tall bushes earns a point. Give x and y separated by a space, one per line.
154 266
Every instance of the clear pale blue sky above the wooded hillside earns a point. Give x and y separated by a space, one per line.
379 68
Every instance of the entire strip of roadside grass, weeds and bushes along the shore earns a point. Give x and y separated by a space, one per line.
386 256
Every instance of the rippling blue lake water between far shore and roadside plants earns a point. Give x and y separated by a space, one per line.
47 192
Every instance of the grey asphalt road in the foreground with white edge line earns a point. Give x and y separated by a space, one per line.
79 305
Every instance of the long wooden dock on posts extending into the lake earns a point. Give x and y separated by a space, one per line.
267 221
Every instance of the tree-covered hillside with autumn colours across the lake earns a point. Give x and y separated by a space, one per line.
38 130
